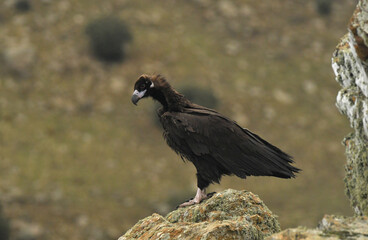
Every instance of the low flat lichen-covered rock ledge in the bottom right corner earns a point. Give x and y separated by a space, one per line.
331 227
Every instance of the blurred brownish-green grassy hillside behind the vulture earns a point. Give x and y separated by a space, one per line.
78 160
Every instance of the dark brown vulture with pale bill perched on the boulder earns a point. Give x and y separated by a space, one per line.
215 144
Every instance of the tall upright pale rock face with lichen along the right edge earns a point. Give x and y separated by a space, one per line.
350 64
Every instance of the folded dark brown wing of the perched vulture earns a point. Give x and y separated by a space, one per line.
199 132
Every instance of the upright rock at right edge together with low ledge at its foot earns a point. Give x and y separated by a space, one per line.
350 65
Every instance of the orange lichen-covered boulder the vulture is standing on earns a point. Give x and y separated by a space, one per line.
229 214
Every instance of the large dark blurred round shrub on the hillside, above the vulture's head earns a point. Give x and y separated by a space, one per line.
108 36
